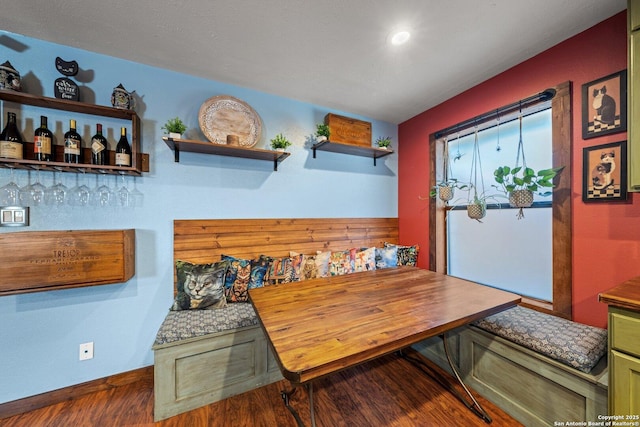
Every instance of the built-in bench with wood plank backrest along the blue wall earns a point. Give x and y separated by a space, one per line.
202 356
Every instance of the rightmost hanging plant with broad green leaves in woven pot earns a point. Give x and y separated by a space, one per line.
521 182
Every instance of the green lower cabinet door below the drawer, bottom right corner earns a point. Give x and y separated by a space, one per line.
624 391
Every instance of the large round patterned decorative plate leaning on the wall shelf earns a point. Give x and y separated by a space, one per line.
224 115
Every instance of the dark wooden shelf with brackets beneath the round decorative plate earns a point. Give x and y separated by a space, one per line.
191 146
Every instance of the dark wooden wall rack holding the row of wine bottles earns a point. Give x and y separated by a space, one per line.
139 161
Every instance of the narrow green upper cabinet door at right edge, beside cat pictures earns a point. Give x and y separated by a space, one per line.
634 112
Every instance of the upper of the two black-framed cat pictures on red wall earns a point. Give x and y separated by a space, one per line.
604 105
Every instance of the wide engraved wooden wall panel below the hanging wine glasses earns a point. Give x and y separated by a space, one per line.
35 261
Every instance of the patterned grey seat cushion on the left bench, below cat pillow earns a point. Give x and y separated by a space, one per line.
180 325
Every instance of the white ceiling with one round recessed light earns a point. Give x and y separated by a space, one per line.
333 53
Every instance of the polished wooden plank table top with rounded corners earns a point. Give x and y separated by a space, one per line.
320 326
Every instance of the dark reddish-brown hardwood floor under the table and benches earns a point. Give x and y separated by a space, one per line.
389 391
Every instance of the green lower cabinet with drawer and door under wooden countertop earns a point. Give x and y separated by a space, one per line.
624 361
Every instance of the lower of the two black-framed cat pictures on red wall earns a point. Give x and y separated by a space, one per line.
604 175
